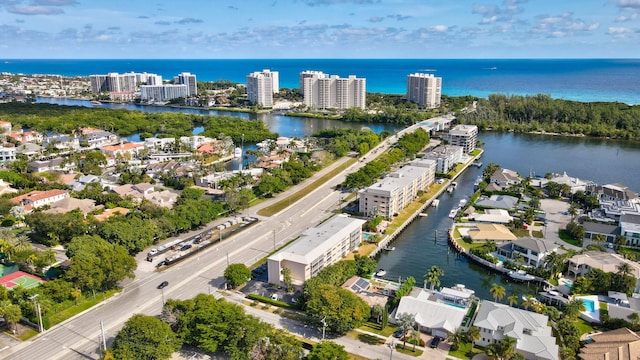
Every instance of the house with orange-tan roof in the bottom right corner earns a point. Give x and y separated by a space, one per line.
618 344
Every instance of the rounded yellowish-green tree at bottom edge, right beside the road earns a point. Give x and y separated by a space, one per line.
145 337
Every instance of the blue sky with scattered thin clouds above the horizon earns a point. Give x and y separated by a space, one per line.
213 29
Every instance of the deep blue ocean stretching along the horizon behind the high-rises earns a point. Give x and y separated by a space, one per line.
571 79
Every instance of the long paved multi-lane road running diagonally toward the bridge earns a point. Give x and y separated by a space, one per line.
78 338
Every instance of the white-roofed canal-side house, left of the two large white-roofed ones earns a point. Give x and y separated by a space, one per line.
431 315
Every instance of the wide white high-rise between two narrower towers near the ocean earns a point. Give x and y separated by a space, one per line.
322 91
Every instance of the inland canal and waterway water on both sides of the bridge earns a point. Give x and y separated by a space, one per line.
424 242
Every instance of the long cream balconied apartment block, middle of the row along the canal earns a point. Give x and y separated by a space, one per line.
390 195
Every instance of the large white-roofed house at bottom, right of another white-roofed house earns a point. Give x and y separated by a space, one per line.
534 339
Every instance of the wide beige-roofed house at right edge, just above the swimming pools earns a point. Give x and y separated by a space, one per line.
582 263
